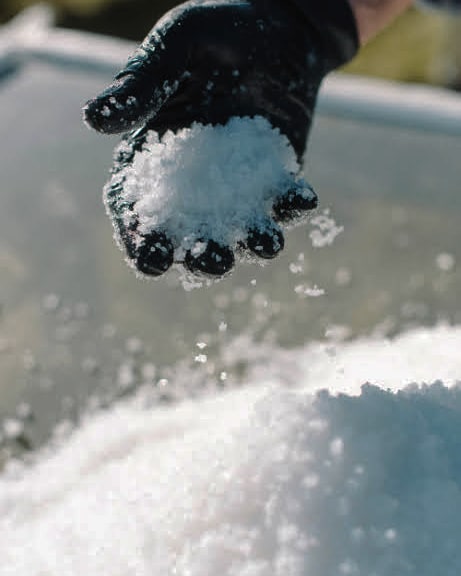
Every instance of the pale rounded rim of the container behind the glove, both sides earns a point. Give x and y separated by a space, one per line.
32 36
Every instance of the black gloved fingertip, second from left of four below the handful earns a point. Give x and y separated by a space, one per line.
209 258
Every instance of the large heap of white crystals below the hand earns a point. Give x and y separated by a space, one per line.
273 478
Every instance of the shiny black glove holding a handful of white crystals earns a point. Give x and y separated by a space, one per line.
185 72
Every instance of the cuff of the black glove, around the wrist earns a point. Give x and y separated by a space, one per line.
336 26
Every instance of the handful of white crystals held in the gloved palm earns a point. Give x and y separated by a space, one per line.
209 181
